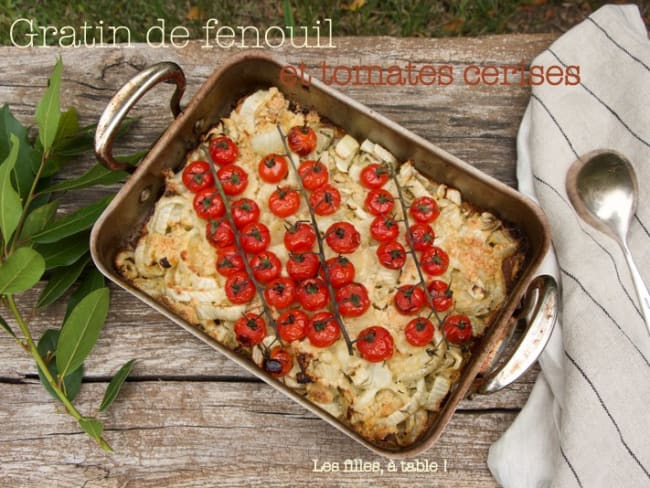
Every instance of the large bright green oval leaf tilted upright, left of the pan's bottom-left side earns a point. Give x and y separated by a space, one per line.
81 330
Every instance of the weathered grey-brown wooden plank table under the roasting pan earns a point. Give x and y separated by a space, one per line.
187 416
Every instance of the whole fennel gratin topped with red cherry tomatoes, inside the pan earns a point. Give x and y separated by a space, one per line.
341 272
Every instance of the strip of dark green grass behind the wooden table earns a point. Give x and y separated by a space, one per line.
349 17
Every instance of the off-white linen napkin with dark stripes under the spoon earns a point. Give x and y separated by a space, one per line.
587 422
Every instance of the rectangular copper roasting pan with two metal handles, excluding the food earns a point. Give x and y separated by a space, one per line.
497 358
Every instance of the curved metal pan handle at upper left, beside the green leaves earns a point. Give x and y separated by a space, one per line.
124 100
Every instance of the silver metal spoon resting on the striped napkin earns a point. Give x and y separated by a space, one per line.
603 188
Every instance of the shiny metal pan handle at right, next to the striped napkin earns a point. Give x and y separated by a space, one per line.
539 313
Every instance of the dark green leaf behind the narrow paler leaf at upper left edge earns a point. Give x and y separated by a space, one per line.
28 159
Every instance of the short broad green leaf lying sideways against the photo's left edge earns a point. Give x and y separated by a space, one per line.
21 271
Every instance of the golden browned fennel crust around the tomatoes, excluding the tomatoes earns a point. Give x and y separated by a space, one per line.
393 401
